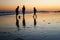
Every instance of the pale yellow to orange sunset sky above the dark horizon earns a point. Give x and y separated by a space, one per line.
49 5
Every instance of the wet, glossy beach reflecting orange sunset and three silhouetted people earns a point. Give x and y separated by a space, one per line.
45 27
